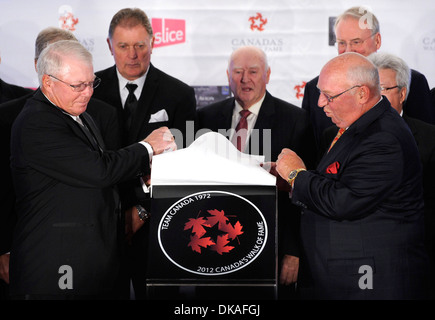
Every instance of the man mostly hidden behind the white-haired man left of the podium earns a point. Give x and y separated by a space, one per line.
104 116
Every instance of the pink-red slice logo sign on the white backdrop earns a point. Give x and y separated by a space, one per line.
168 31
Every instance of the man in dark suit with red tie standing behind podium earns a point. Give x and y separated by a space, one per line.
276 124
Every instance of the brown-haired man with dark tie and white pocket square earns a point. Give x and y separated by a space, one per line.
157 100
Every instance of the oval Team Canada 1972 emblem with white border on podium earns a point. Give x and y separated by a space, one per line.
212 233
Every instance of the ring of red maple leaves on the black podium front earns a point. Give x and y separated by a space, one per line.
198 227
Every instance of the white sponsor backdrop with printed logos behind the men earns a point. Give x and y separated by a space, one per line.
294 33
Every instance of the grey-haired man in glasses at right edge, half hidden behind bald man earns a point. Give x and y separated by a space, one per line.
394 80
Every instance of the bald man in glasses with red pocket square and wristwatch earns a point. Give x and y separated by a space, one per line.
362 225
